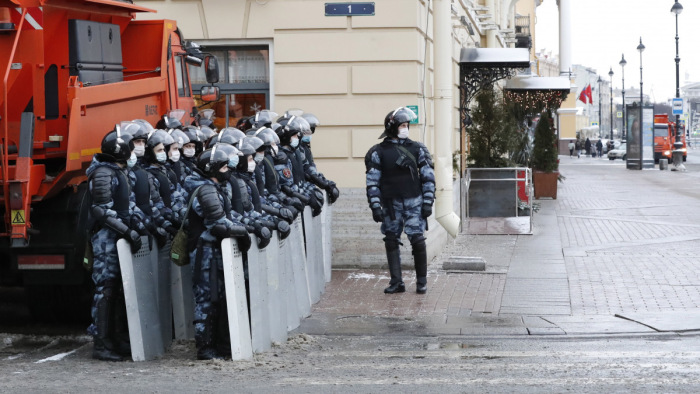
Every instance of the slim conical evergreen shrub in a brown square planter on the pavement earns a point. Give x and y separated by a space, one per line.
545 158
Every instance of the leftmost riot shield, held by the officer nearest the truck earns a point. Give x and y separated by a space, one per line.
141 298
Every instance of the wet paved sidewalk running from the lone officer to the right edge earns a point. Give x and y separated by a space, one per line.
618 252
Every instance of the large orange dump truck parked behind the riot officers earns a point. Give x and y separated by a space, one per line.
70 70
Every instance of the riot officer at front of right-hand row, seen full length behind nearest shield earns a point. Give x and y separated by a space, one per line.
209 222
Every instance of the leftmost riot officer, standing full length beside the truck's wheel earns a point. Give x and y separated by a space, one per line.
113 215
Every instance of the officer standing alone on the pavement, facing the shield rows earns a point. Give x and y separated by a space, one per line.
400 191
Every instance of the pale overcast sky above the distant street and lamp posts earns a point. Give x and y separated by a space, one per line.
602 30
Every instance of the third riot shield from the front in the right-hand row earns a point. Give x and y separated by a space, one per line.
276 298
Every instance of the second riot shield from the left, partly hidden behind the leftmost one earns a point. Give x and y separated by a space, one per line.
162 282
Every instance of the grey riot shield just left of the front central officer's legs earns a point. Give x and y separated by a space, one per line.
183 301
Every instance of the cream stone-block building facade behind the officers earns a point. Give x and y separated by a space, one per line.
350 71
